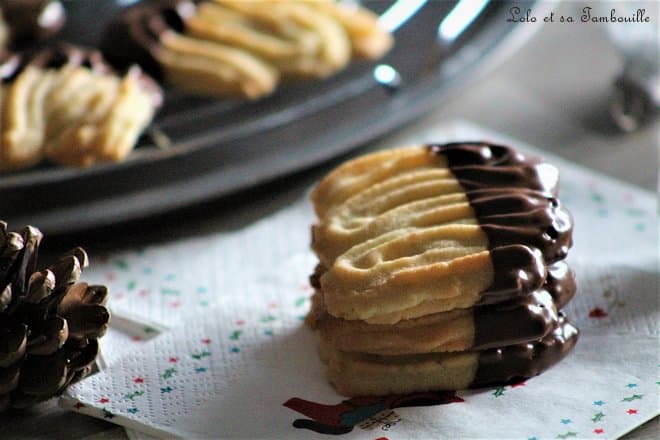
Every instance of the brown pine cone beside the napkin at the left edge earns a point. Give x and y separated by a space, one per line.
49 322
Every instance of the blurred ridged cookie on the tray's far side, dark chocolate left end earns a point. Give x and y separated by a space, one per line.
242 48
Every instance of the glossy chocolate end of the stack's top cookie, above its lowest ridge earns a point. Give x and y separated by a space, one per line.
513 196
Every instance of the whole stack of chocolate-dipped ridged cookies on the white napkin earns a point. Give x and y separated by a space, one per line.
441 267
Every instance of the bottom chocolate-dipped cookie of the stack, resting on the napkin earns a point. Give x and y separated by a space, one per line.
359 374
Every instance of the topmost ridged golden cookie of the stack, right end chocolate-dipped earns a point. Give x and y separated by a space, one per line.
416 220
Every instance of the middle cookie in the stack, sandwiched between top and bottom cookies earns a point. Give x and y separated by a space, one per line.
511 322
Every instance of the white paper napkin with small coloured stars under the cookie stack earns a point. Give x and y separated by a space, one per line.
234 349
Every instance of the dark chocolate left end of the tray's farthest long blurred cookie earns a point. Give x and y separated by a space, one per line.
134 35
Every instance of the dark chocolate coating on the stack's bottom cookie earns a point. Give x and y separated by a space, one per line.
511 364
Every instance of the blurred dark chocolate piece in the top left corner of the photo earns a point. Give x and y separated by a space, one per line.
30 21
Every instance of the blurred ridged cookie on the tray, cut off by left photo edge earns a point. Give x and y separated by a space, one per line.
67 104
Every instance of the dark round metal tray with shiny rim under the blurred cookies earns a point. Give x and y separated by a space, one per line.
219 147
